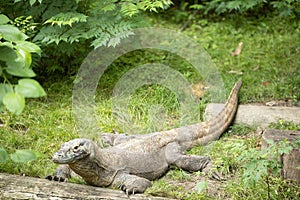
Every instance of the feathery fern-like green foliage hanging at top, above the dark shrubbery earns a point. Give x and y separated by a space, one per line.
105 22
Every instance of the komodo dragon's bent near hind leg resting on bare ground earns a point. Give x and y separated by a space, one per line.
191 163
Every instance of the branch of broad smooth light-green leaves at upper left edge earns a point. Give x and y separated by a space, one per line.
15 60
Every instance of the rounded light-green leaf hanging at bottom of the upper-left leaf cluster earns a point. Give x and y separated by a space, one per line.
14 102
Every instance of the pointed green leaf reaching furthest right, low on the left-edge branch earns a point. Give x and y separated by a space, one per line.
30 88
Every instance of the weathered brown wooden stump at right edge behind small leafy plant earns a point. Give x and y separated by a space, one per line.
290 161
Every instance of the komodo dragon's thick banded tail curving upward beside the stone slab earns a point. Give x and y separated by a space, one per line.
202 133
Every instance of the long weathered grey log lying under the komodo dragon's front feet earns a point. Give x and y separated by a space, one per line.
23 187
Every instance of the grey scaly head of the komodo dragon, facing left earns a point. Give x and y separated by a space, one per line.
72 151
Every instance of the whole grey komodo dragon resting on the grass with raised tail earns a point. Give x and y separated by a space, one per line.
131 164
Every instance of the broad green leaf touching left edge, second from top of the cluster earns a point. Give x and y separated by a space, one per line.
11 33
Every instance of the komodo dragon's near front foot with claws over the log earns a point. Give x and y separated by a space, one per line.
131 184
